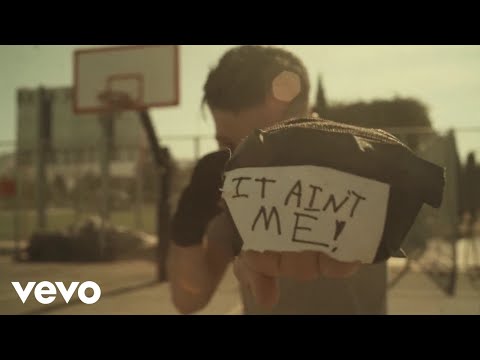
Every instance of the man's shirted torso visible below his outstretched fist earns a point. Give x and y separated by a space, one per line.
362 293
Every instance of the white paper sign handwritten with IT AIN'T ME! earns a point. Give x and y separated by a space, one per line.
296 208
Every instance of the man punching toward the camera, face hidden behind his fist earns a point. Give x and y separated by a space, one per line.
251 87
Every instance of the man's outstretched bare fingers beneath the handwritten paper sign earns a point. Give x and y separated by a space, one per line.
260 271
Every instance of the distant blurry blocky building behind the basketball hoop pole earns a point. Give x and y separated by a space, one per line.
73 139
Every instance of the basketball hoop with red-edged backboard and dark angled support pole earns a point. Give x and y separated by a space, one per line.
137 78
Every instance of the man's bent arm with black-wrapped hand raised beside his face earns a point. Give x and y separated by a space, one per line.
197 262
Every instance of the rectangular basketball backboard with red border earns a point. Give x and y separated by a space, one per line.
148 74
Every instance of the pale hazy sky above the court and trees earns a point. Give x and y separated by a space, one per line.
445 78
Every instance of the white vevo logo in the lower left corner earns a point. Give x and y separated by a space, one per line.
45 292
